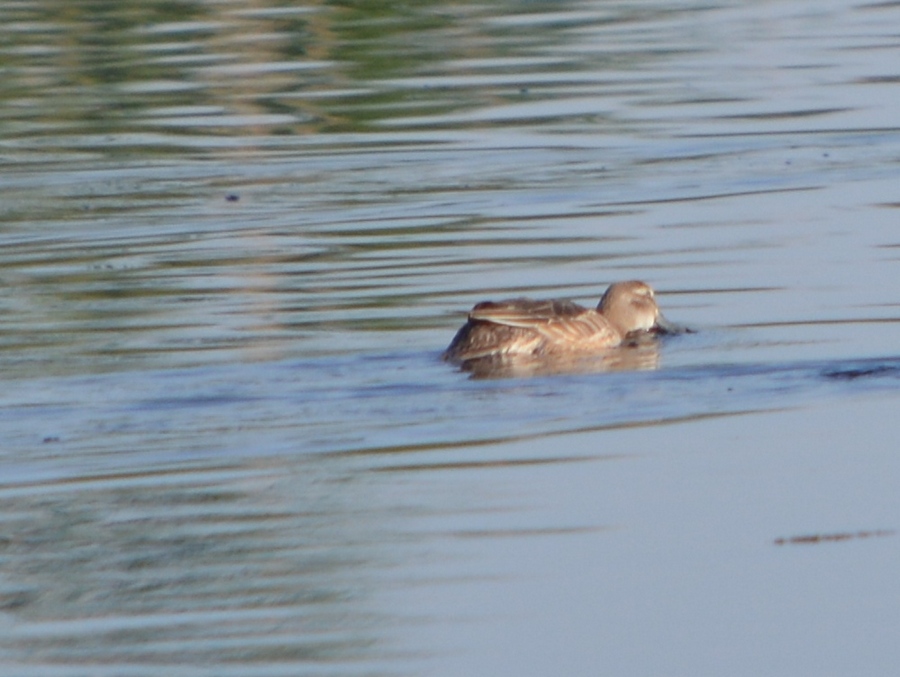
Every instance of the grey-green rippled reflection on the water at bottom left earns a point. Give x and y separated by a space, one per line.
216 566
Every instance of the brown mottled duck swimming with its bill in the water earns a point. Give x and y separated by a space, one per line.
535 329
